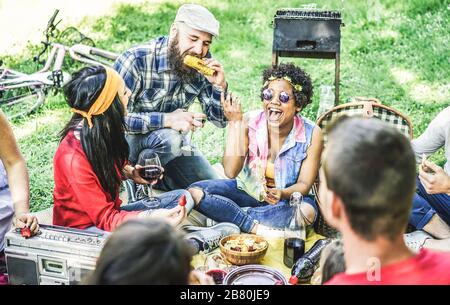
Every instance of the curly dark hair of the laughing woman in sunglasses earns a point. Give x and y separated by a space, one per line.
298 77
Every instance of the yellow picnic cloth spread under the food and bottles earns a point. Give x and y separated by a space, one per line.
274 255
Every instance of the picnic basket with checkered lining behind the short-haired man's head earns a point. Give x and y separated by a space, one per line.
361 106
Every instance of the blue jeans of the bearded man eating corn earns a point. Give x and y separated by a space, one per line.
181 168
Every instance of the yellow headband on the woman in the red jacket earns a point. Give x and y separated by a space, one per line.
106 97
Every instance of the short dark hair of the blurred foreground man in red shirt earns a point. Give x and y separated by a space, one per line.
371 167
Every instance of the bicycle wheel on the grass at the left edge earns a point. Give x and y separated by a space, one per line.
19 102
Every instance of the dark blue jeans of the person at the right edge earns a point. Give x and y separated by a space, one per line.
426 205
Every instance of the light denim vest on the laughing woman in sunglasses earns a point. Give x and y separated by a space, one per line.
288 161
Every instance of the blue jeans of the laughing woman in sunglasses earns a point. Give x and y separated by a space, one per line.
223 202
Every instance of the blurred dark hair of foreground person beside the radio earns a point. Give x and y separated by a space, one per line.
143 252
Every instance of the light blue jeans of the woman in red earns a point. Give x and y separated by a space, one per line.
169 200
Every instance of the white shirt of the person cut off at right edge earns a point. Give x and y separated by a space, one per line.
434 137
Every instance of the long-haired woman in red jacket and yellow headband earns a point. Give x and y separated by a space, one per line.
91 160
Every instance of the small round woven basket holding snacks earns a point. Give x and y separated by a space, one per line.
243 258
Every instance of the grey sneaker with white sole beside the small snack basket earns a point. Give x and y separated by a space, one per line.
210 237
